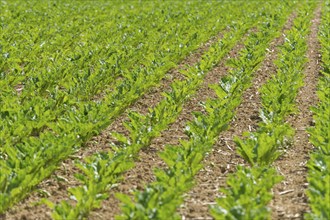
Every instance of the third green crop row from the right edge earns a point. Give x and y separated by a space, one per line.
161 198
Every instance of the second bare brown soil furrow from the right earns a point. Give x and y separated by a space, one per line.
223 159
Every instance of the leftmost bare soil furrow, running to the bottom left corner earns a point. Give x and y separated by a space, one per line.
55 188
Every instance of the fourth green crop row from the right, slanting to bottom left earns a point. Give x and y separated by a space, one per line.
103 170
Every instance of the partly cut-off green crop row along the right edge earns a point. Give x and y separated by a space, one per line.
319 163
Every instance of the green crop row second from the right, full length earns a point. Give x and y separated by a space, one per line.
249 198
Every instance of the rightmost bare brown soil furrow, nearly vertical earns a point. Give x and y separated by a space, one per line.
290 200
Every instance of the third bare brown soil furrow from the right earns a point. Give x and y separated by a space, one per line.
142 173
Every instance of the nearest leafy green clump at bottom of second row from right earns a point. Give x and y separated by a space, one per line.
248 194
